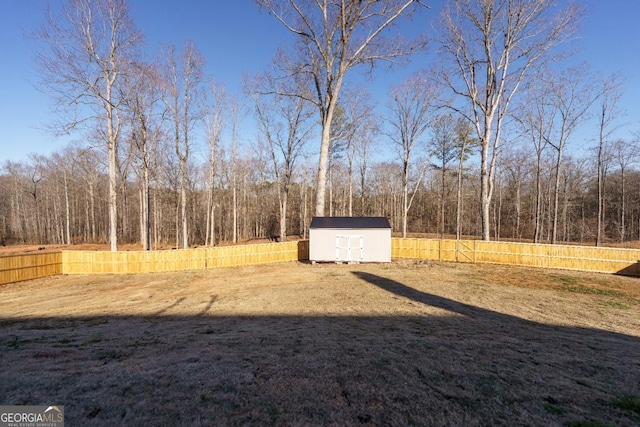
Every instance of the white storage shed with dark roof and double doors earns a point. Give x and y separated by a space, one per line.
350 239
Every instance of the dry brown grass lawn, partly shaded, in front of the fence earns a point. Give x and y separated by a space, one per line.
293 344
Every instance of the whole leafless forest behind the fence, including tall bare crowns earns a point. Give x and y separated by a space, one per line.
473 145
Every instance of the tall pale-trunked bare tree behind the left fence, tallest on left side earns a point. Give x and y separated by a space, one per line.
87 44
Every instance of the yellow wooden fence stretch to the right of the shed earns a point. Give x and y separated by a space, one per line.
603 260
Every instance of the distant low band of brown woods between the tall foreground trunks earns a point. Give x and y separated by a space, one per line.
63 199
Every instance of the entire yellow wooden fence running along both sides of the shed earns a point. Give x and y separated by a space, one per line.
605 260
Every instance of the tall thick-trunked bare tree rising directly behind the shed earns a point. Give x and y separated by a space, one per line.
335 36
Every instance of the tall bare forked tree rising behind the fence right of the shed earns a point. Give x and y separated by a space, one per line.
488 48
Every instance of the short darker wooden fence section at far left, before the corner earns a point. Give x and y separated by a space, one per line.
16 268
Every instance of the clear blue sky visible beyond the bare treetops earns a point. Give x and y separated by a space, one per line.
236 37
